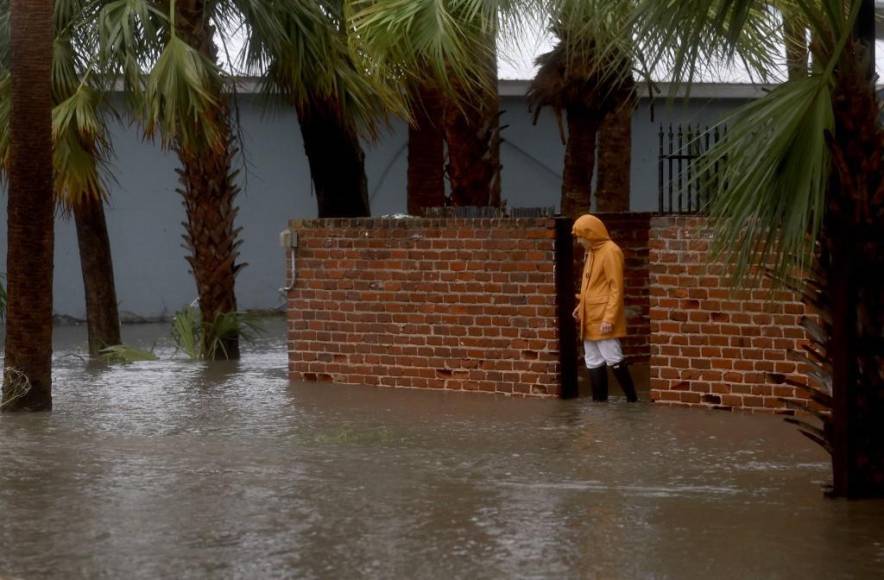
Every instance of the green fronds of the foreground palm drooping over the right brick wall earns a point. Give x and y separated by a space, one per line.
770 200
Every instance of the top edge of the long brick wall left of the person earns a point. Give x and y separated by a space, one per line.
419 223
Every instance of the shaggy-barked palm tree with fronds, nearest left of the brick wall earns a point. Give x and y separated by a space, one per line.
184 100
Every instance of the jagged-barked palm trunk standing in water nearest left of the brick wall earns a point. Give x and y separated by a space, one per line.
209 193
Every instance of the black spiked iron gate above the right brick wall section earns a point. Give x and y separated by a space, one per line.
682 185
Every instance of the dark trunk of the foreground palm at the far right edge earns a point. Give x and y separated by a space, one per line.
853 261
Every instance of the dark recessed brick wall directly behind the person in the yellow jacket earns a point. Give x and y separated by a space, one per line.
630 231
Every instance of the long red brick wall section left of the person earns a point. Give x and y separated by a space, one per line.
460 304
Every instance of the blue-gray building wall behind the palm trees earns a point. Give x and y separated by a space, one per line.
145 213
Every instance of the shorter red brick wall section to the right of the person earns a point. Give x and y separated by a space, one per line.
713 346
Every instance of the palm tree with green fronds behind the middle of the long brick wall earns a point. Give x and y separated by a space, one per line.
449 47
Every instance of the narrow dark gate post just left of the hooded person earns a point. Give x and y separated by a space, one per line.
565 306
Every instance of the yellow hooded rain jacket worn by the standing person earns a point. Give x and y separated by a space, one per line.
601 289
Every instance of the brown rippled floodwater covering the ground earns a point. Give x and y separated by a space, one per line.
178 469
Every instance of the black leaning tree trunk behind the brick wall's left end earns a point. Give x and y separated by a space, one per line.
337 162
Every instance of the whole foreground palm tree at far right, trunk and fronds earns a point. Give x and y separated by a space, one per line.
803 189
